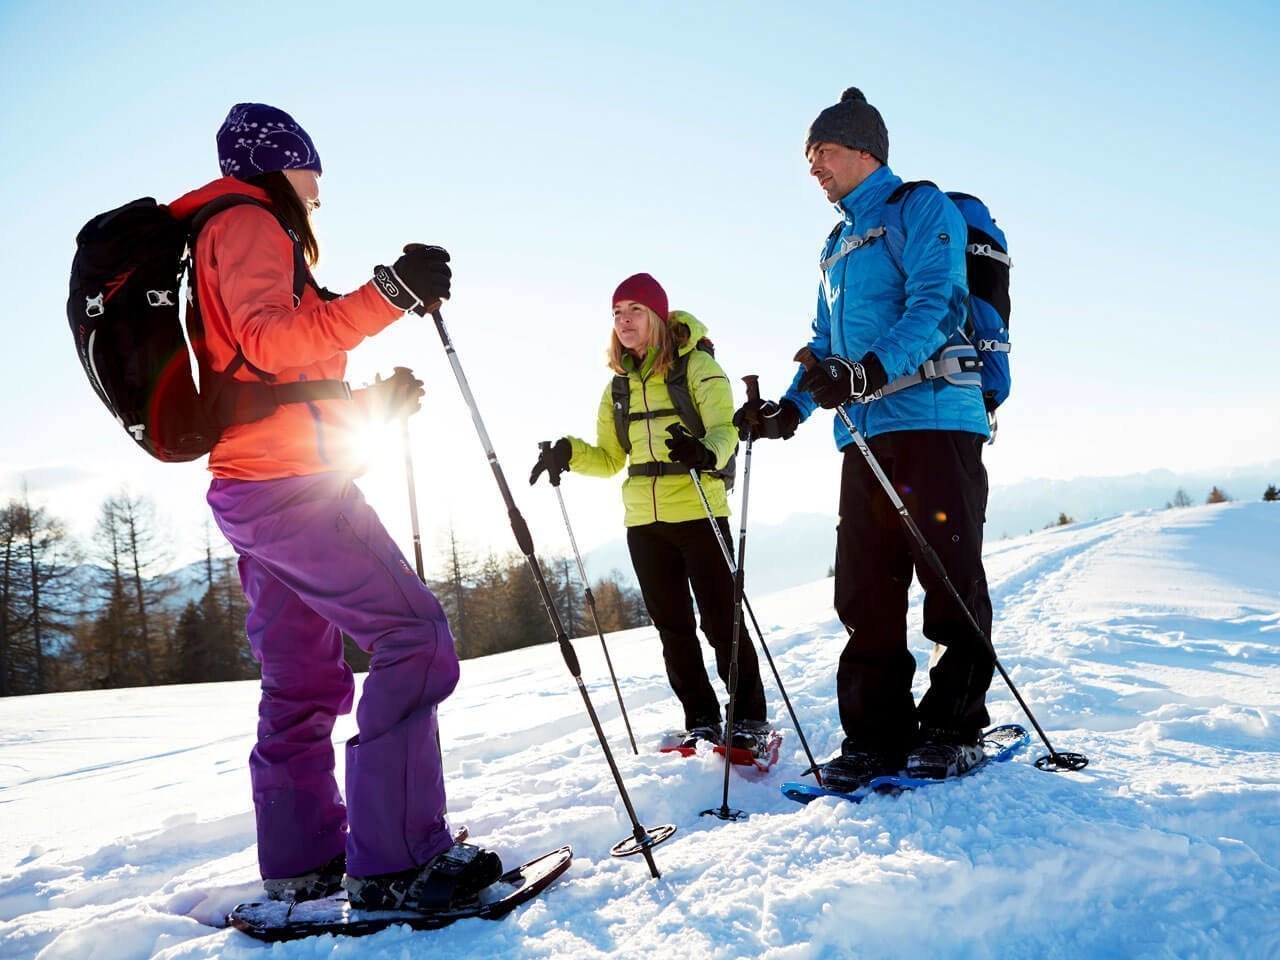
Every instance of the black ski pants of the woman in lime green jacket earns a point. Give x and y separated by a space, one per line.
670 559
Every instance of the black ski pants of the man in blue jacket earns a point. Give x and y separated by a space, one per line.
941 479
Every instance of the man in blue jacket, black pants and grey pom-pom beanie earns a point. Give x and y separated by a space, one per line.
894 296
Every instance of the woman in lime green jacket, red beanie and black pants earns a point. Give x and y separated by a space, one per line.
671 543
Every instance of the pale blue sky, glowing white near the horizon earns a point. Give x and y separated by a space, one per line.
1127 150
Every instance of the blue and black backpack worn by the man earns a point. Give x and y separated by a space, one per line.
988 266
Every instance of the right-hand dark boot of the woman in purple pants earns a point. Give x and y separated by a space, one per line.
447 881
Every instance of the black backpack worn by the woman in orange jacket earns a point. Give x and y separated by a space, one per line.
126 316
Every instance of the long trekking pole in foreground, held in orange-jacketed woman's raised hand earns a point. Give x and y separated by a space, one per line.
642 840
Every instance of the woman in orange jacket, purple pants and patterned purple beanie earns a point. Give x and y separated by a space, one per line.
314 559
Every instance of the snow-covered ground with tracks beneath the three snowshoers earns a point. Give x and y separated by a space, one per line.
1151 643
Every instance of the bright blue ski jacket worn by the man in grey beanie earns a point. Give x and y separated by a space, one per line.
903 314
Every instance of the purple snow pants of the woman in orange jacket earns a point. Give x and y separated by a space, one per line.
316 563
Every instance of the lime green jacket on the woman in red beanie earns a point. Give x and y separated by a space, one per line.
648 500
